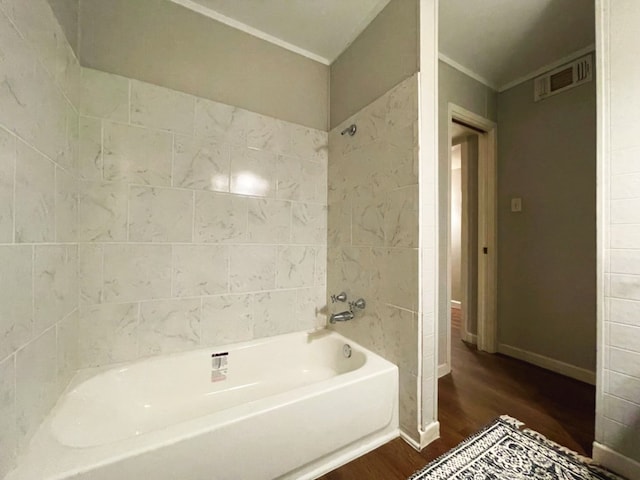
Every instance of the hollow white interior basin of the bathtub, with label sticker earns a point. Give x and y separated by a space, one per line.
145 396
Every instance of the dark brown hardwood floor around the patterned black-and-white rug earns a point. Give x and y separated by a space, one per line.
480 388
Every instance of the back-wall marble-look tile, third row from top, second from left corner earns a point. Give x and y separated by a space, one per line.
160 215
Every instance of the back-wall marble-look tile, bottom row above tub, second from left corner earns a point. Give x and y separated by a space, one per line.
168 326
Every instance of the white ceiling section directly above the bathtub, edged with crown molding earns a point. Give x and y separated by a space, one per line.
318 29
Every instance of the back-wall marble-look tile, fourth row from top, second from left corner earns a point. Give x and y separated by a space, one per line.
136 272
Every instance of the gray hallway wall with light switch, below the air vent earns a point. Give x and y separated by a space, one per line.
546 253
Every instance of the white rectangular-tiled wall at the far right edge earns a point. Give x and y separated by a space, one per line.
618 412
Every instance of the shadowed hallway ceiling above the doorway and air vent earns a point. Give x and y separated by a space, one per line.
501 42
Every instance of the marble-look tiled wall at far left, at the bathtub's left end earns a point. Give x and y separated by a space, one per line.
39 81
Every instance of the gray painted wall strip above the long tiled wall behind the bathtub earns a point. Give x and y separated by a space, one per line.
159 42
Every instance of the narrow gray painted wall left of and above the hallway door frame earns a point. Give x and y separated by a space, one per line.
457 88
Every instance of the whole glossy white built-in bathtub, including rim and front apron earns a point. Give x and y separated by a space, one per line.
291 407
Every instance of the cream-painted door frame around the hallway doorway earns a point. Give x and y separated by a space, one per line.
487 233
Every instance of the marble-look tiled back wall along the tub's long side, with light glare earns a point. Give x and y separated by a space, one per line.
199 223
